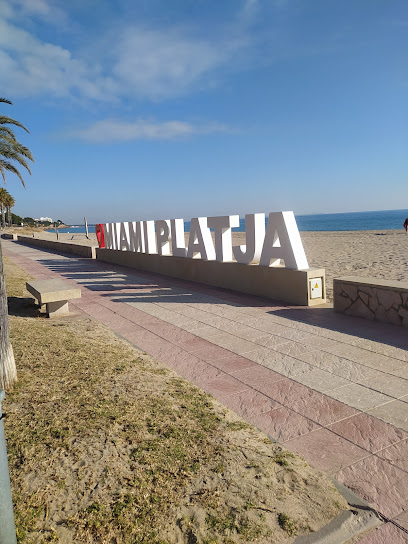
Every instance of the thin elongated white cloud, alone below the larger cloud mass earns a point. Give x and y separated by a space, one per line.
110 130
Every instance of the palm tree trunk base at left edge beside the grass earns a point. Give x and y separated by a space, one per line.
8 371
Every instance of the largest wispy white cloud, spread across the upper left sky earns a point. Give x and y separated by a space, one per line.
131 62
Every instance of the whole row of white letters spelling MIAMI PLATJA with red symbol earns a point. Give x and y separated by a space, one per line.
281 241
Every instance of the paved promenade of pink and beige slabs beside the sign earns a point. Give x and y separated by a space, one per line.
331 388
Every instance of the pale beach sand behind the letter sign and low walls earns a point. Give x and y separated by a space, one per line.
378 254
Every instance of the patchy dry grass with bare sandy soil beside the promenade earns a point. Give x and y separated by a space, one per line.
107 446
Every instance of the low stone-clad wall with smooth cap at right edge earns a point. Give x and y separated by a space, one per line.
372 298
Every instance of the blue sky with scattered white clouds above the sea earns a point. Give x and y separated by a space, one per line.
157 109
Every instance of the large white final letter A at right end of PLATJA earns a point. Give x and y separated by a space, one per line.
282 241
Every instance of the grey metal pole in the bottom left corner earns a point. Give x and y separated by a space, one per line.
7 528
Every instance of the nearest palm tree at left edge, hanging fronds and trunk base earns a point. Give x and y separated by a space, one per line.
11 153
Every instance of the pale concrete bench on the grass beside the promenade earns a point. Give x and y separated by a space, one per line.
55 294
